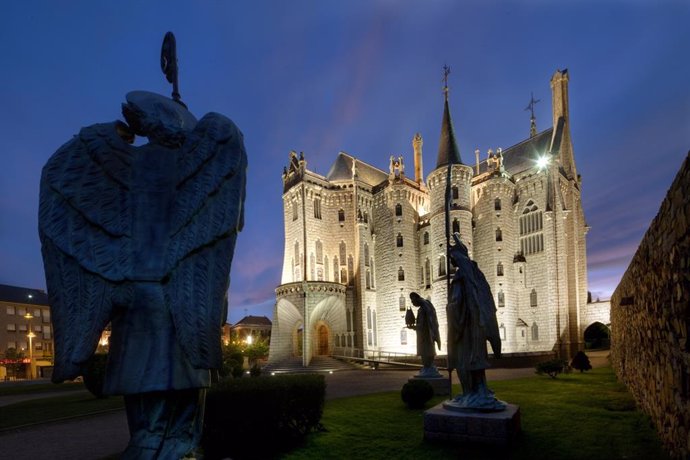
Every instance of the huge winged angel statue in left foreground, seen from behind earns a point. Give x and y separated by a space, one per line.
142 237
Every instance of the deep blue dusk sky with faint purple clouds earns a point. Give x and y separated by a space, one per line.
360 77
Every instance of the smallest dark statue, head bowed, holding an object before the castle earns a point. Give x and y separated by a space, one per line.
426 326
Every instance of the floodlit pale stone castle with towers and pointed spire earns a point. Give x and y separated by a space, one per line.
359 240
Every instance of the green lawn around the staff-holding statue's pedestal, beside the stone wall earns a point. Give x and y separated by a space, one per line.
575 416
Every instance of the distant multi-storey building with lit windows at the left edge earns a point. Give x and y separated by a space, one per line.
24 311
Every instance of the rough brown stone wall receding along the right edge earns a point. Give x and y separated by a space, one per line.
650 316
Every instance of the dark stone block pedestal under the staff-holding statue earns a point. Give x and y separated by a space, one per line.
497 428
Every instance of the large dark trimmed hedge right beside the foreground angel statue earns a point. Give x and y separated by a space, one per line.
282 409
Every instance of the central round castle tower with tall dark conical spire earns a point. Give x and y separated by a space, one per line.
458 191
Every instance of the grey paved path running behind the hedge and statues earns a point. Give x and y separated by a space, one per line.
103 436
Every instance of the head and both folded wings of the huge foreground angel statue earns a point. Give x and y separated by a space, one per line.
89 226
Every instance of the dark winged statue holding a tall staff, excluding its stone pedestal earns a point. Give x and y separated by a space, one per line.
471 322
